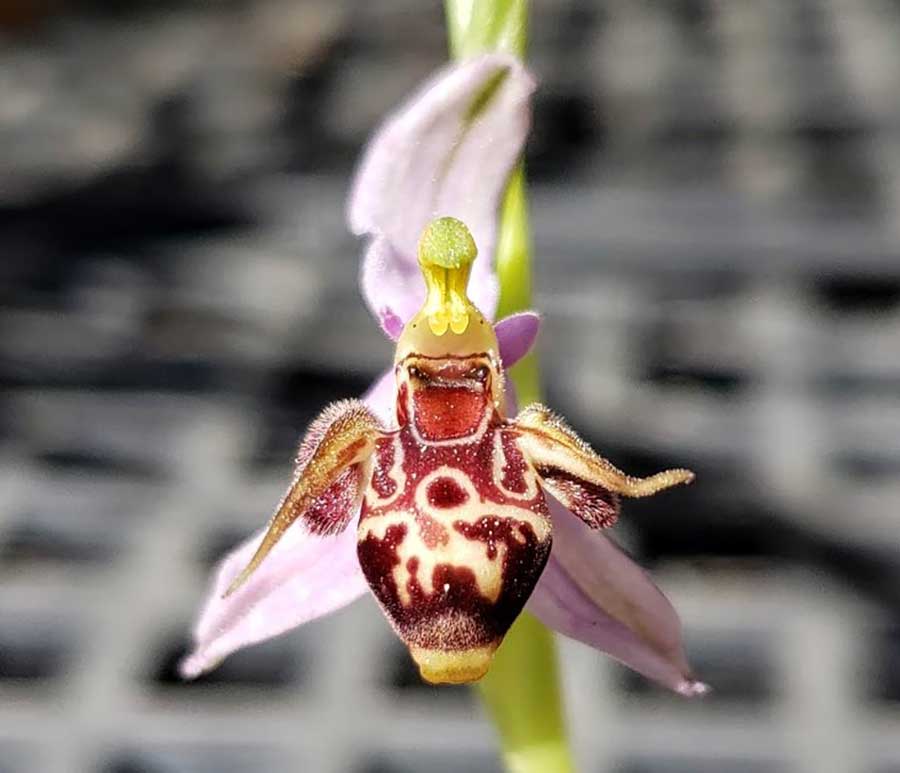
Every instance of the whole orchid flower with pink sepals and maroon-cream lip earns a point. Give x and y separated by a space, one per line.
453 514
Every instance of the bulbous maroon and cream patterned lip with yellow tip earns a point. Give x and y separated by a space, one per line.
453 555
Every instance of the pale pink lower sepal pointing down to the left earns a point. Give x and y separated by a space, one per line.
304 577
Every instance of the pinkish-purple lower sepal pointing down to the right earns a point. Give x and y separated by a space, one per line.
591 591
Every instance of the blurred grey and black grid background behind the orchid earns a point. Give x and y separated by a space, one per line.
716 192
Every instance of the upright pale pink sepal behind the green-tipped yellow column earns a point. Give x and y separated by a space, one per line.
448 150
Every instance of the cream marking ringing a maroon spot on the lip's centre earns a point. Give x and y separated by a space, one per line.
459 550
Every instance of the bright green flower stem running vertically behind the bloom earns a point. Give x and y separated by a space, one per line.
522 690
